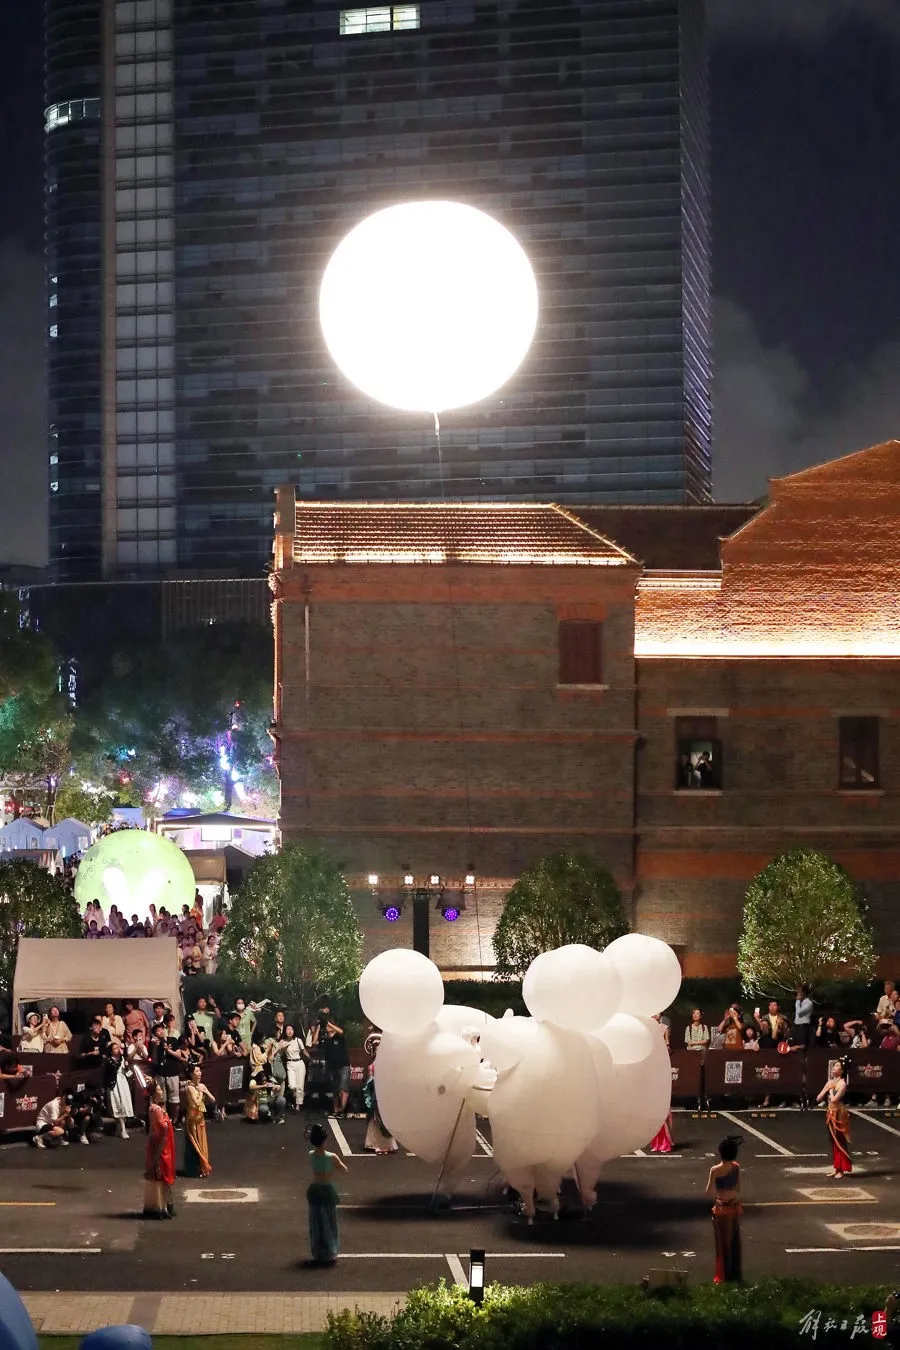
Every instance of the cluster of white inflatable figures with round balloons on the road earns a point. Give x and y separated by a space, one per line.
580 1082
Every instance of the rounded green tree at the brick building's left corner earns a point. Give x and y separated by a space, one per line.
293 923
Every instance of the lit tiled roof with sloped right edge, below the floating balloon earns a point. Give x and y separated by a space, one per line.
520 534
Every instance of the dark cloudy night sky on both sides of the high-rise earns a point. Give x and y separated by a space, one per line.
806 205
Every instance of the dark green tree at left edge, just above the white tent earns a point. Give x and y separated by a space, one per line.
33 904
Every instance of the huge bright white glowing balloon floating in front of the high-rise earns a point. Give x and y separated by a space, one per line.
428 306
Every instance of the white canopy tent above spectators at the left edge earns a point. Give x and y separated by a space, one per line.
72 969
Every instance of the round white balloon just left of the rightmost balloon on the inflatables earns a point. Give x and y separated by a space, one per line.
574 988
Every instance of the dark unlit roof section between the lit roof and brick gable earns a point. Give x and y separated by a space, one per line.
670 538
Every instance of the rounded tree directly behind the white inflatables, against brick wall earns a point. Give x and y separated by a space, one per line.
565 898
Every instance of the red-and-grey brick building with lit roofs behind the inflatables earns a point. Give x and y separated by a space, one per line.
681 692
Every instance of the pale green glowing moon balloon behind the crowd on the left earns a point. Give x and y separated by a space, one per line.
136 870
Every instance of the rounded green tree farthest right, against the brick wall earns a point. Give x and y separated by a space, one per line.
804 921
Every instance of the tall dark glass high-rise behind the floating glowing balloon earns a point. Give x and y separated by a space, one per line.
204 157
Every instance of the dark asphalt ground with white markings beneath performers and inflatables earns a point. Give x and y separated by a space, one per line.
71 1218
